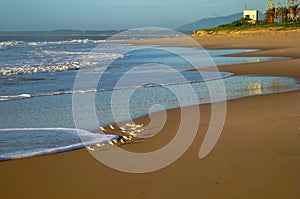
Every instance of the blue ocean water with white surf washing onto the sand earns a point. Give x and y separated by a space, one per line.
49 85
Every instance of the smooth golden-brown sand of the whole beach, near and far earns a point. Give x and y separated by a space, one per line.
257 155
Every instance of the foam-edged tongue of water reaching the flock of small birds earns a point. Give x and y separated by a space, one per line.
29 142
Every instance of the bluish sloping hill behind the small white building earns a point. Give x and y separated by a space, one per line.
214 22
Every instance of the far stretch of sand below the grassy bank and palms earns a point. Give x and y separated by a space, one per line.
285 46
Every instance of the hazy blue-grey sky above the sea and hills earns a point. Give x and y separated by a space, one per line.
113 14
